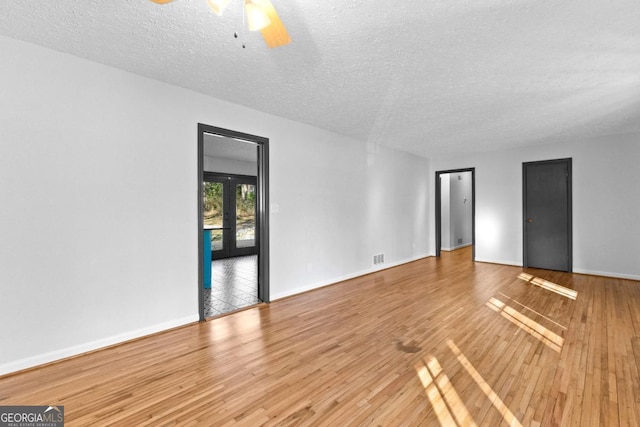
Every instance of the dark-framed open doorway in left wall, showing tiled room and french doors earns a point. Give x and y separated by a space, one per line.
233 270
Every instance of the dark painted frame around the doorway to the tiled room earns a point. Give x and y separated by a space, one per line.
262 205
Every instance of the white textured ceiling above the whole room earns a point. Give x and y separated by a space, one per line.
429 77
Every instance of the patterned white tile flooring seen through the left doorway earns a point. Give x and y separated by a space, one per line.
234 285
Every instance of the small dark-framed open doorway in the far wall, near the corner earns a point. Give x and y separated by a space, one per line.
455 210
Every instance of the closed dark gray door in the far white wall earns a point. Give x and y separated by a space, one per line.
547 214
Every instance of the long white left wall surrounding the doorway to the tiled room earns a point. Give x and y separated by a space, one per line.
98 179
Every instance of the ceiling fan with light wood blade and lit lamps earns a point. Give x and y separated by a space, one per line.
261 15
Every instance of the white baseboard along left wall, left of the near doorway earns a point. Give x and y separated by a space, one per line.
53 356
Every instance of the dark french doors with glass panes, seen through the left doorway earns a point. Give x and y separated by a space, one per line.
229 203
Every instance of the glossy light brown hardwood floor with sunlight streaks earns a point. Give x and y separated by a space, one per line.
435 342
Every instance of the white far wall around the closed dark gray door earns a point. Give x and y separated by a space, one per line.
606 202
